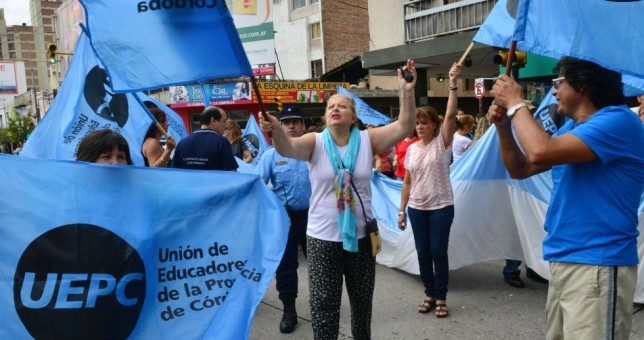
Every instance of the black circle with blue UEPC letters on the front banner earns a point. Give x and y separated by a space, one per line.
79 281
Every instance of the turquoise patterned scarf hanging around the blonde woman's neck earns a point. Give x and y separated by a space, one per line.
343 168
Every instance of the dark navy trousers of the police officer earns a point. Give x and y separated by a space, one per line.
286 275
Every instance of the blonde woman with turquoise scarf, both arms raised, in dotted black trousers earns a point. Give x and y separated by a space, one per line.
340 162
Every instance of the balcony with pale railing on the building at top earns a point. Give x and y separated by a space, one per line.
425 19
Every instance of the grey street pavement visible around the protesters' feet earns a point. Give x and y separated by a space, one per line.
481 306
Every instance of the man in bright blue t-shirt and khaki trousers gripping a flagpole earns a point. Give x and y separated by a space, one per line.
597 162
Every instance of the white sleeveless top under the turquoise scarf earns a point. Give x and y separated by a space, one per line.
323 211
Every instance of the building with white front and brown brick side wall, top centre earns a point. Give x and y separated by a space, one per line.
315 36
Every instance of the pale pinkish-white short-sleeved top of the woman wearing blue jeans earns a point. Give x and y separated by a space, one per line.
428 166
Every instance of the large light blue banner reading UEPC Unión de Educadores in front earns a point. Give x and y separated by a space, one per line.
113 252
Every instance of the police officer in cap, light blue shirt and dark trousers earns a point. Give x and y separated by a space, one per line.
290 180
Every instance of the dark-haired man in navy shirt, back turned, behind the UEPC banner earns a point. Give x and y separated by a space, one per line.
206 149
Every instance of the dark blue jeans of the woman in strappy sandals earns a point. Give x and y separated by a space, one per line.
431 234
